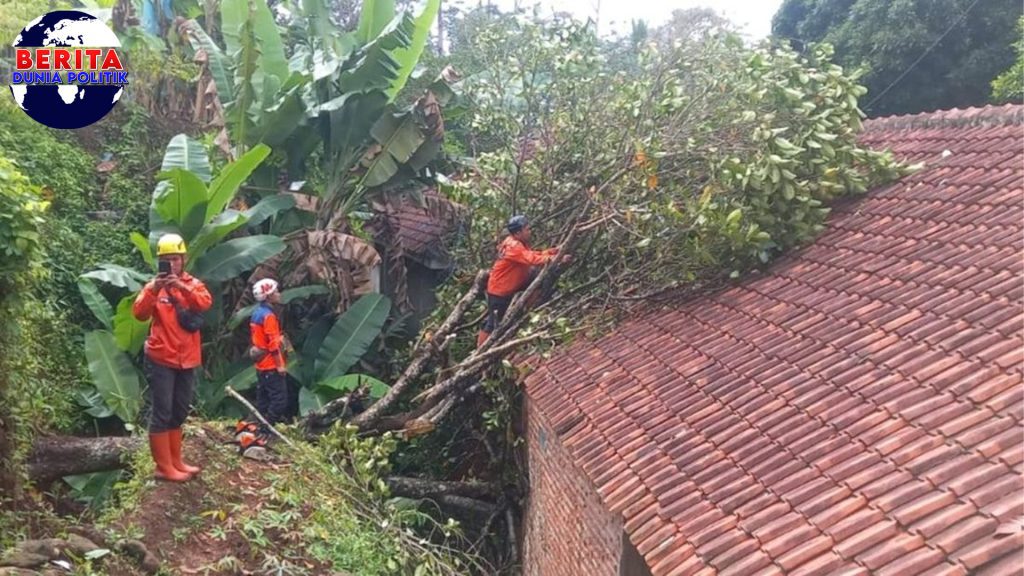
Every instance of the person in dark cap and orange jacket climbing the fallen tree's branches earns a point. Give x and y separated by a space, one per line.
517 267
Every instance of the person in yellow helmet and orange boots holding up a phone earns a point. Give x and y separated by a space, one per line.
175 301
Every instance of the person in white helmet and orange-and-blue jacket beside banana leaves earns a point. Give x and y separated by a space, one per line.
269 351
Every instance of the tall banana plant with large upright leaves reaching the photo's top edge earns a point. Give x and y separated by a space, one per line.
330 94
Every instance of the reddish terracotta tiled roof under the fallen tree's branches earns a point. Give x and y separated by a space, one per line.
858 409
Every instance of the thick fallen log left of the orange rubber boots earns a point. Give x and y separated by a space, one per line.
56 458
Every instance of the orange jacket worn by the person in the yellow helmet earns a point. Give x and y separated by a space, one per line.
169 344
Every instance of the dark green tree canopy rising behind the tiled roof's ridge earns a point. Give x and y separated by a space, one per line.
917 55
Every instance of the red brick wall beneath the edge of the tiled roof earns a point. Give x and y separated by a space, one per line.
567 530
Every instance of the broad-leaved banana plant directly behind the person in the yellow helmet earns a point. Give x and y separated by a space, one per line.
191 201
